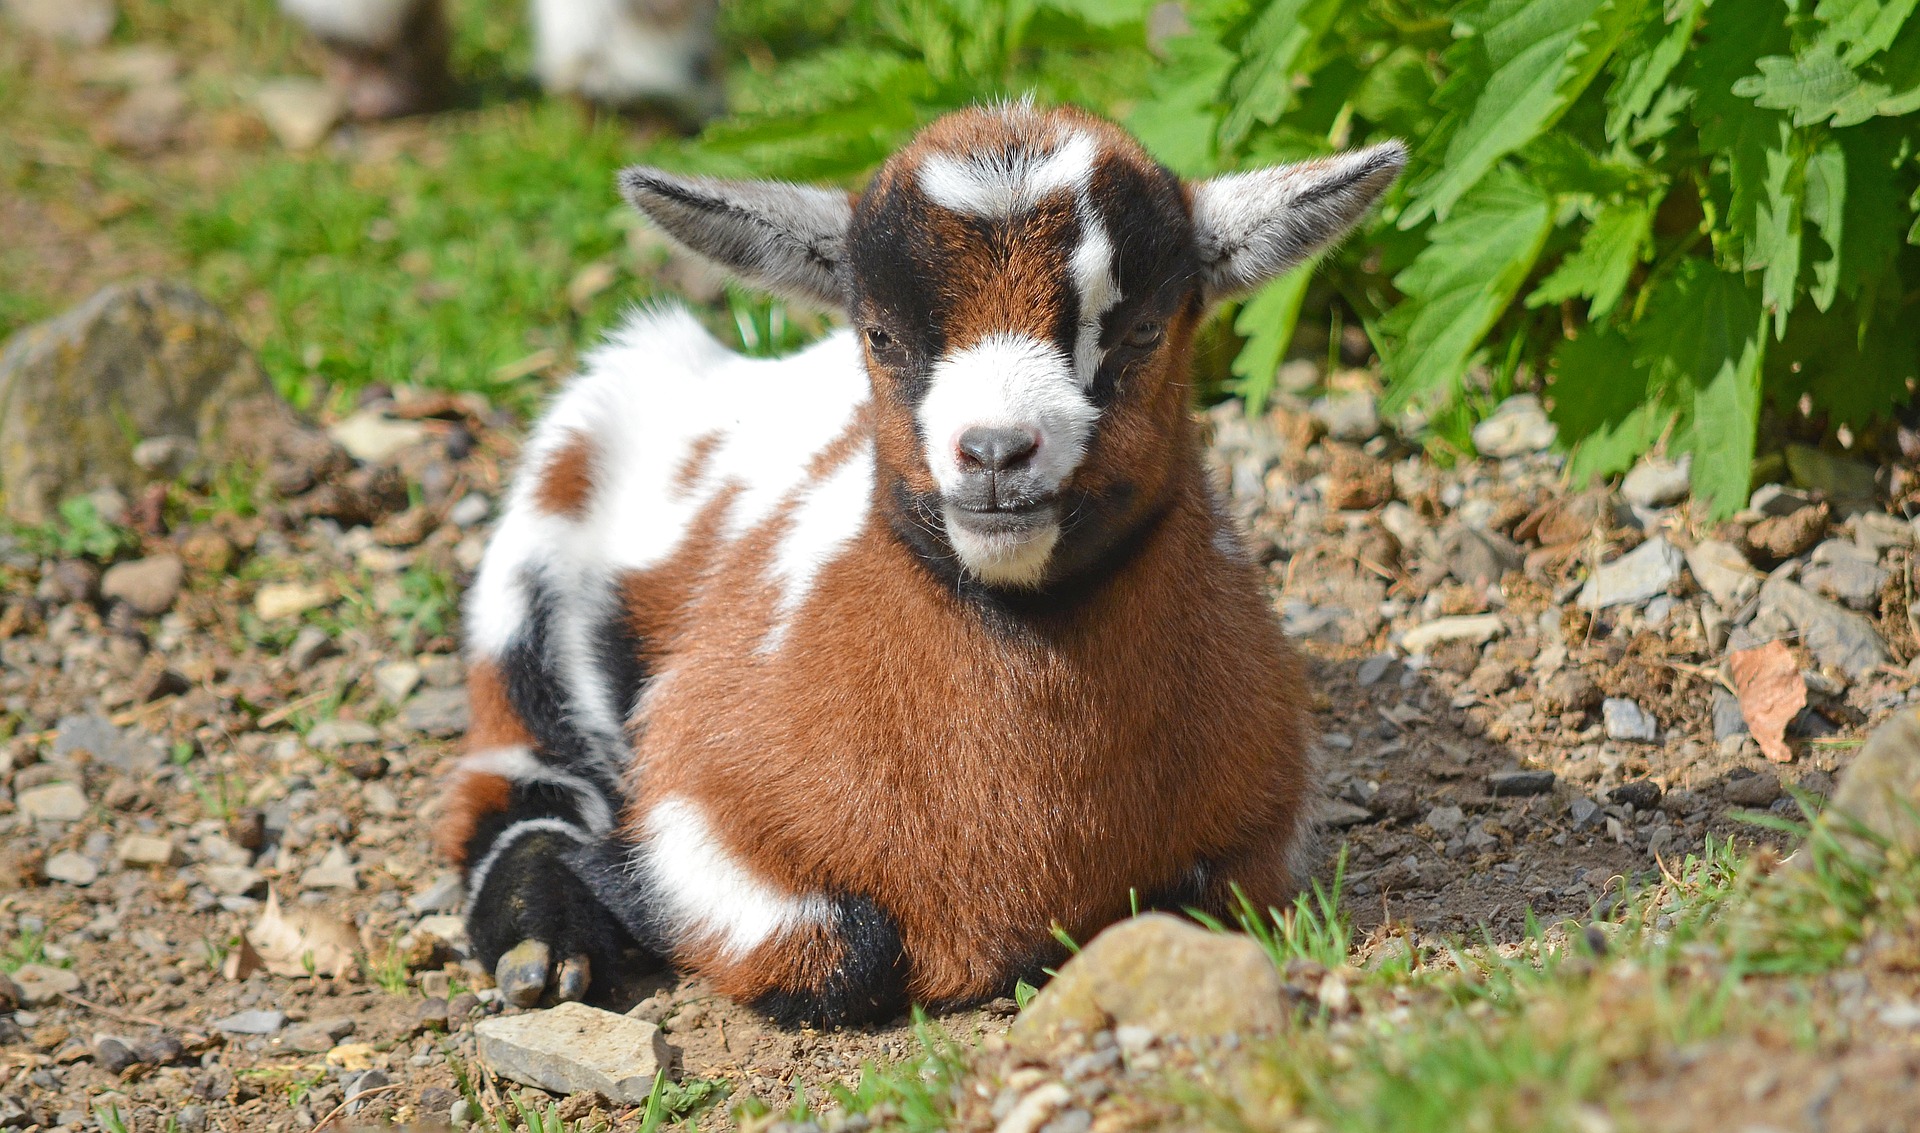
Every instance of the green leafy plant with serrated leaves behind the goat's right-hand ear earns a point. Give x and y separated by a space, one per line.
1673 214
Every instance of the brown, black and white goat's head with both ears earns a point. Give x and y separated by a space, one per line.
1026 287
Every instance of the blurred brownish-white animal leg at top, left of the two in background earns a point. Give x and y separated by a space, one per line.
389 59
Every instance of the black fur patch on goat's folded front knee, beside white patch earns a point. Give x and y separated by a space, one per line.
867 988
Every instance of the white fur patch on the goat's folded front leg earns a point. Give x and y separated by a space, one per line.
706 894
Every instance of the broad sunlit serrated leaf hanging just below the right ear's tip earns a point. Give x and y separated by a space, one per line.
1460 285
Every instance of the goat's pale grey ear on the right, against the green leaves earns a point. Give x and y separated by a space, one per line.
1259 226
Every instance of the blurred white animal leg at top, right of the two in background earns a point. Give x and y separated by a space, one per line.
631 55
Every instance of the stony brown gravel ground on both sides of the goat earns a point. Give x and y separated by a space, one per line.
272 717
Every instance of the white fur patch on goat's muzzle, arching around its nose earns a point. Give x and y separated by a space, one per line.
1007 381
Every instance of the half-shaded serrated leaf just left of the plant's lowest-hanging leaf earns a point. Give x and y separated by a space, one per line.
1602 404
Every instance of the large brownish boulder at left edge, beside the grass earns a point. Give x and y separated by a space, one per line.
133 362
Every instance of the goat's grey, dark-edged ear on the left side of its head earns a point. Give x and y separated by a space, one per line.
788 239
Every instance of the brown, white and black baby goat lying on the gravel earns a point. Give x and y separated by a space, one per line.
842 679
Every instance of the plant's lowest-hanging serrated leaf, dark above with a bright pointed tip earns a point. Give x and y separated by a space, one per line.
1704 343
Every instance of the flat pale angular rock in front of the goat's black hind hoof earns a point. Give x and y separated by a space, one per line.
577 1049
